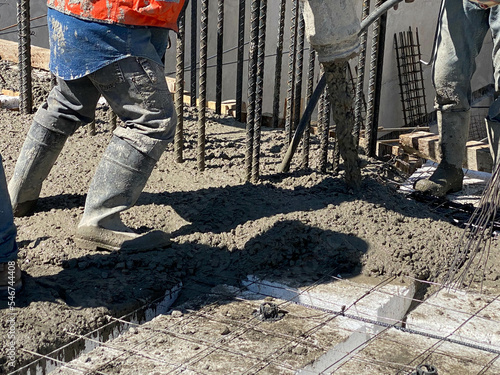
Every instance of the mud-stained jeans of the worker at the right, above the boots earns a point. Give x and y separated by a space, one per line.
463 27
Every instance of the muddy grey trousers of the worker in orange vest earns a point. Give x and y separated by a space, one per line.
136 90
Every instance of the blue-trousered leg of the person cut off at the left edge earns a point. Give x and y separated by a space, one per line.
10 275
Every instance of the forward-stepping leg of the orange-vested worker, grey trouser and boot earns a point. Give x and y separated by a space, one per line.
137 91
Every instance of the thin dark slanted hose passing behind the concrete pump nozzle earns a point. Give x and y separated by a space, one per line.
285 165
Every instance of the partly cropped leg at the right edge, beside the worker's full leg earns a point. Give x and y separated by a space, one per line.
493 119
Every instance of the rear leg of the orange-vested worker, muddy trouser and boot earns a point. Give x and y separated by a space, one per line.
69 105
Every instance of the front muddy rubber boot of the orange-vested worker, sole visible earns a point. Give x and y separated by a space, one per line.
118 181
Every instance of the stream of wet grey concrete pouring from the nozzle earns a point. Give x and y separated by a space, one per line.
343 115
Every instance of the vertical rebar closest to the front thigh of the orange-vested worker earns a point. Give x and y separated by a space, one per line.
179 92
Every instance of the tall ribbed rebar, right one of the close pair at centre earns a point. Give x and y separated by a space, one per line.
261 54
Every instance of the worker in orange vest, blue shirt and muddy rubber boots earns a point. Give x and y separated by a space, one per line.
114 49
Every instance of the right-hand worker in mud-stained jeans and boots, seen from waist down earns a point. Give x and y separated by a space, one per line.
463 25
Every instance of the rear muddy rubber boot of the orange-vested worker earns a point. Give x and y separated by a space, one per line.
39 153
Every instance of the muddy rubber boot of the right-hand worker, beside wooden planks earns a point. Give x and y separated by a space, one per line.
448 176
